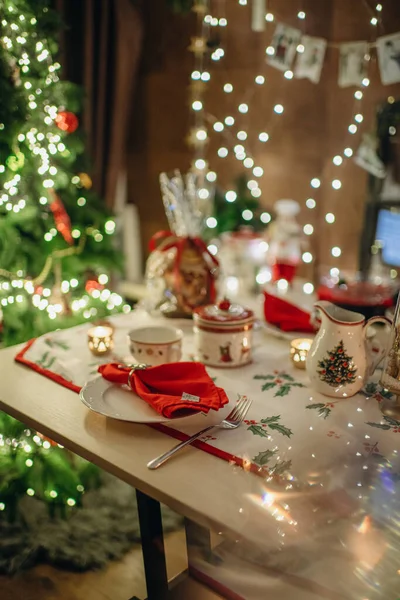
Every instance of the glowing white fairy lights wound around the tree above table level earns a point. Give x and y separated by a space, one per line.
45 144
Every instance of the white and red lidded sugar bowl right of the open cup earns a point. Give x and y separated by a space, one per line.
223 334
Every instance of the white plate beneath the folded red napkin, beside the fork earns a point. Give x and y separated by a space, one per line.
118 402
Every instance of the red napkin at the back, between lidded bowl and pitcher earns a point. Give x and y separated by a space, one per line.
285 315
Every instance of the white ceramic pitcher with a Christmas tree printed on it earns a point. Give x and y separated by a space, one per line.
340 359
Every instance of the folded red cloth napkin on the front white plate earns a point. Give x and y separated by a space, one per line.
163 387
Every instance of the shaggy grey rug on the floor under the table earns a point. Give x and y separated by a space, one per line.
104 529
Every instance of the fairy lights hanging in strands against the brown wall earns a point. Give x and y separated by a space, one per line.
235 140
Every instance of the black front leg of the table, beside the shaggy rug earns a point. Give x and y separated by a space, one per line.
152 539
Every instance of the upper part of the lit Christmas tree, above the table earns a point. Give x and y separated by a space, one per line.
56 245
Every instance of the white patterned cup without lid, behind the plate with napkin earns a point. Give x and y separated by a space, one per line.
156 345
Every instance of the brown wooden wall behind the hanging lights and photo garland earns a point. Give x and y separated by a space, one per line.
303 140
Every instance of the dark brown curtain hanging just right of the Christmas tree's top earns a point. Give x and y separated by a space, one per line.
100 49
